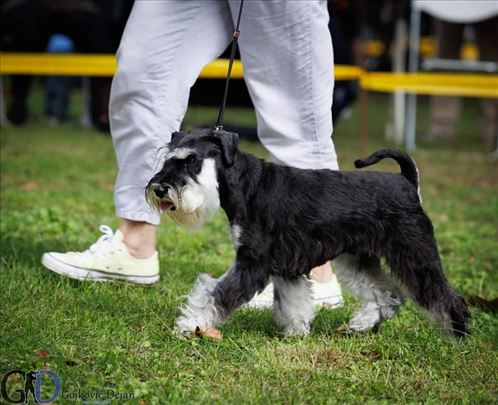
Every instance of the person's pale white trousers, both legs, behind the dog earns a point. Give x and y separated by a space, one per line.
286 50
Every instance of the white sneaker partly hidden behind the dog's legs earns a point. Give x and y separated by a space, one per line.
324 295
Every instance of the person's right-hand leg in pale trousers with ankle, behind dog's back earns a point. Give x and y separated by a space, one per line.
286 49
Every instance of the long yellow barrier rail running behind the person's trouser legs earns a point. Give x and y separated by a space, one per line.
470 85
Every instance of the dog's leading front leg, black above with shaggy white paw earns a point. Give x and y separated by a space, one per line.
212 300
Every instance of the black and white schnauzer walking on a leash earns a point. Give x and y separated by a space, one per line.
285 221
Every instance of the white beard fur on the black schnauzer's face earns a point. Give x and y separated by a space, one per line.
197 201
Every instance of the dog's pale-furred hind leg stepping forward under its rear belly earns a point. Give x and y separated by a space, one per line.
363 277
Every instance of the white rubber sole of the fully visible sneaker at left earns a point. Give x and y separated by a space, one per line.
78 273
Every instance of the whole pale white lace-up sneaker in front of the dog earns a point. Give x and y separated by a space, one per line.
107 259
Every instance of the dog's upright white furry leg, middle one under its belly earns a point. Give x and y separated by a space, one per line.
293 304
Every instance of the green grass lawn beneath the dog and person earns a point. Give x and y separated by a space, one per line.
56 188
